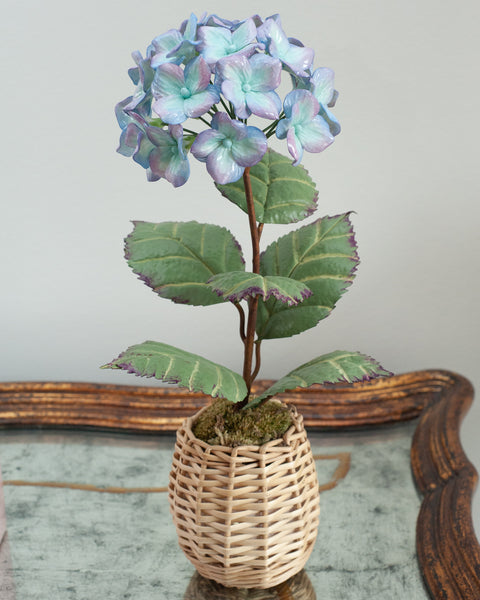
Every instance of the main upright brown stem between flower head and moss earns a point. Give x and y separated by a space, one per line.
253 303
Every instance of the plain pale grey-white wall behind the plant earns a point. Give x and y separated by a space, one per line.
406 162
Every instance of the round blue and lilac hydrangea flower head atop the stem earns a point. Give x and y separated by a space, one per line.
219 73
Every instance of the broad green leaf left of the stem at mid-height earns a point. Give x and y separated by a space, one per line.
177 259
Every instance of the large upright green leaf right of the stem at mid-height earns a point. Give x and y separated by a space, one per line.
321 255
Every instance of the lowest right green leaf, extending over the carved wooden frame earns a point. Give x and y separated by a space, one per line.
335 367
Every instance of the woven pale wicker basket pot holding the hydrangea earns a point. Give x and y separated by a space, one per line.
246 517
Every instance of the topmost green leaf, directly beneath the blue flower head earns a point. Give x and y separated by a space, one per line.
282 193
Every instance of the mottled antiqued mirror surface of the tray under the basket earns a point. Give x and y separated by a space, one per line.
87 517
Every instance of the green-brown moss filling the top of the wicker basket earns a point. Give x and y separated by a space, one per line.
222 424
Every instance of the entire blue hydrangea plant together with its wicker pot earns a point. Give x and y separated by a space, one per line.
243 488
